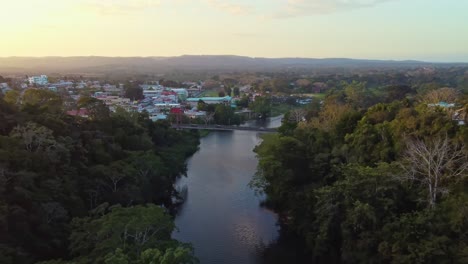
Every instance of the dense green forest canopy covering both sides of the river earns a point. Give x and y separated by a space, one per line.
375 171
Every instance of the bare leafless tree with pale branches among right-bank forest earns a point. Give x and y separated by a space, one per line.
435 163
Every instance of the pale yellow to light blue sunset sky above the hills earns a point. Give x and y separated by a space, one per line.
430 30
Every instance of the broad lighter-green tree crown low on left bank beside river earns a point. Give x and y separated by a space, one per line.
133 229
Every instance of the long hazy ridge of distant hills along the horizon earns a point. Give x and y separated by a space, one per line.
142 65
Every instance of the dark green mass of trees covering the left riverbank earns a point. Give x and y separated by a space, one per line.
87 190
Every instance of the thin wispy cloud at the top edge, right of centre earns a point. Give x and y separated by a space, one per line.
293 8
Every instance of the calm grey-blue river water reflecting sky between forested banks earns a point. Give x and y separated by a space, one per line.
222 216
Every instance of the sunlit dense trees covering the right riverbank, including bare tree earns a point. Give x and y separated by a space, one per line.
381 183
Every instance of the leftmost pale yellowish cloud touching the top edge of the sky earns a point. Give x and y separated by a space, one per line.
119 6
